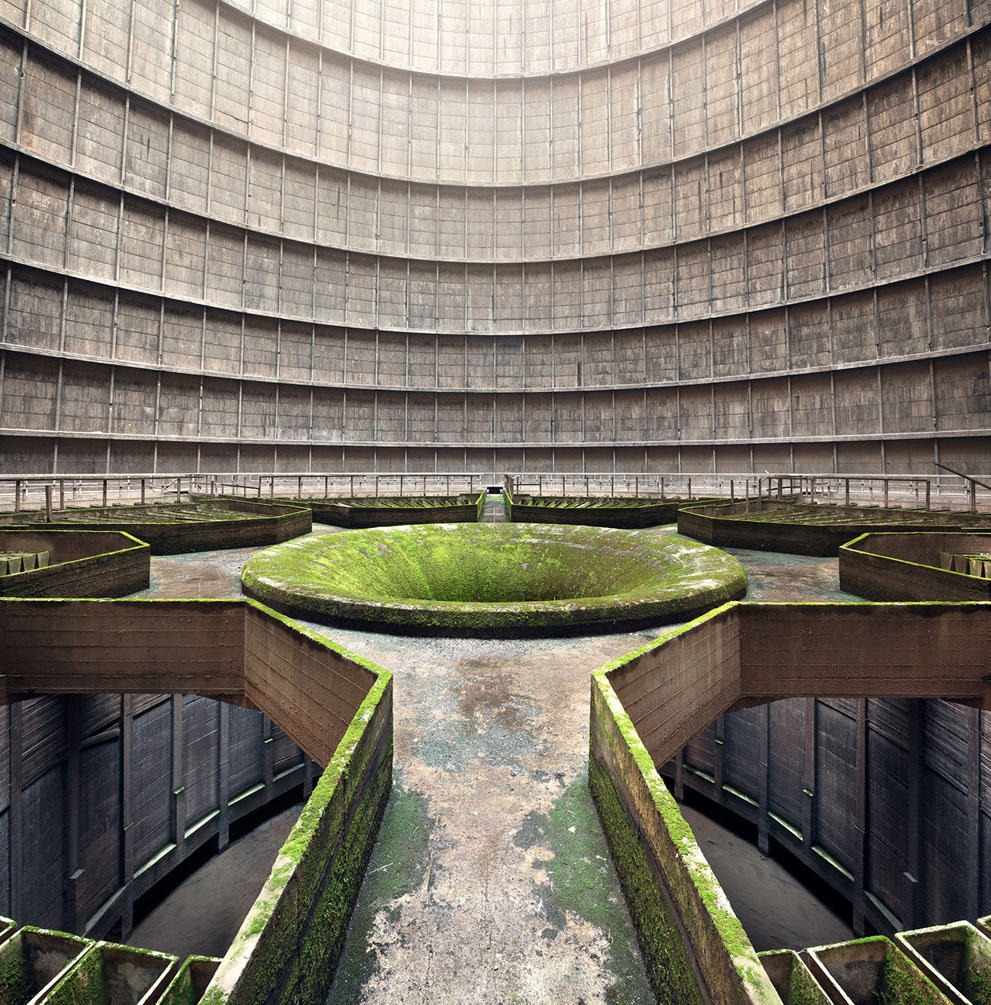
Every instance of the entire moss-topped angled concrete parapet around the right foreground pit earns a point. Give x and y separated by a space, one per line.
650 704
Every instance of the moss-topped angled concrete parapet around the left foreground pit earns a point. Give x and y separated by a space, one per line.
336 705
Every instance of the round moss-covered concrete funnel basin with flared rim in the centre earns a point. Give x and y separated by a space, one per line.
494 579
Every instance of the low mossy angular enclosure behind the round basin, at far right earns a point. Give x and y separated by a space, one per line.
808 529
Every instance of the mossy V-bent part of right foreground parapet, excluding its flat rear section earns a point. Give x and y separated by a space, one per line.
695 948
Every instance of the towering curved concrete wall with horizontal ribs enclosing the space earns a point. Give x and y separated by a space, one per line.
394 239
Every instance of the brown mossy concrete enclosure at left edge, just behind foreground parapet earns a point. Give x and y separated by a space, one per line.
81 564
